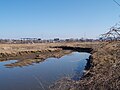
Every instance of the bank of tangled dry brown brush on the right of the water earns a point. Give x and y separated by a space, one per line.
103 74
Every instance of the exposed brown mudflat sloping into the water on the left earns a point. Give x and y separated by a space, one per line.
37 56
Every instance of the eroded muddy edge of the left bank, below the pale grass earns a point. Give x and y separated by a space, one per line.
28 58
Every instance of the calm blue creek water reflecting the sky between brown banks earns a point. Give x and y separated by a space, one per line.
39 76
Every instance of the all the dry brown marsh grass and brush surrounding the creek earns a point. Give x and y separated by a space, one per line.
104 74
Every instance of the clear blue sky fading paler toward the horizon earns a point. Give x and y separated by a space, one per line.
57 18
